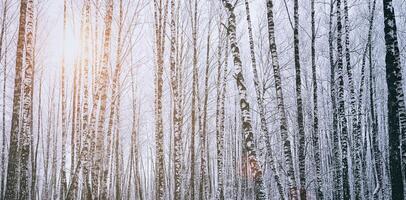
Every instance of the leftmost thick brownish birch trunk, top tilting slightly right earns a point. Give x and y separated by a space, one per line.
13 158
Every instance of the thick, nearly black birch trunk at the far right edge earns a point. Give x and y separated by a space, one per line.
396 104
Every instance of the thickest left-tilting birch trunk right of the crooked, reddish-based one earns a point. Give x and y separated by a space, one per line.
281 108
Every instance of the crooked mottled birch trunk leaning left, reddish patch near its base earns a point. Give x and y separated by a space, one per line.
244 106
